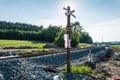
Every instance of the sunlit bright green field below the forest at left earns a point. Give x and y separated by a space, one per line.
21 43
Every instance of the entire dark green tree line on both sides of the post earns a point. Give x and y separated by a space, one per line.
22 31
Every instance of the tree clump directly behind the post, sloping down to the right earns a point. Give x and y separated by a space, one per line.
78 35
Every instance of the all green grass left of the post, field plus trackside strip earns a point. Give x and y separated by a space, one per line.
25 44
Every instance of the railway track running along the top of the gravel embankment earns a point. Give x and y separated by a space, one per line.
39 54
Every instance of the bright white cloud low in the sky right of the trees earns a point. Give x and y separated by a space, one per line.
106 31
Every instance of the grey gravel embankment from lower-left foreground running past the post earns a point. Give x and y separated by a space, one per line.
32 68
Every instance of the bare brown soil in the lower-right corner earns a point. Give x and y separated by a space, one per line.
110 68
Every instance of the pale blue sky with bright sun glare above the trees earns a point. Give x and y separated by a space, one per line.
101 18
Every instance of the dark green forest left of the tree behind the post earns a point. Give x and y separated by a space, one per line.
24 31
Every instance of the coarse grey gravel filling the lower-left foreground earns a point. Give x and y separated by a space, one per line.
23 69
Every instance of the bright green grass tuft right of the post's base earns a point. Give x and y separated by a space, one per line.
81 69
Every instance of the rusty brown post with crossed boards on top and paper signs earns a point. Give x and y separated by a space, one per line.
68 28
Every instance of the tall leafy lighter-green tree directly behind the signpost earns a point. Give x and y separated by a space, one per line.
75 34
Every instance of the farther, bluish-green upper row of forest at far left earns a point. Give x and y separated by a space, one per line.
18 26
